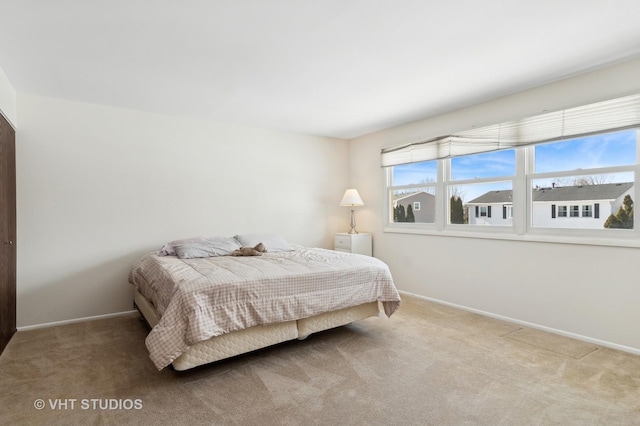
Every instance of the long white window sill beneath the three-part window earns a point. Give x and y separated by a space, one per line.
507 234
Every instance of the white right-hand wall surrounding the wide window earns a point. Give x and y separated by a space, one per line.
590 291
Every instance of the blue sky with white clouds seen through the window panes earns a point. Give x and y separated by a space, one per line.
608 150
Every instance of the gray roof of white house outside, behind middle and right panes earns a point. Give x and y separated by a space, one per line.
606 191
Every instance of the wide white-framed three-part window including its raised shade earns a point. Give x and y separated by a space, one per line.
570 173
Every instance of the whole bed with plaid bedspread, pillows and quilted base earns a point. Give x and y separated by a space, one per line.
205 305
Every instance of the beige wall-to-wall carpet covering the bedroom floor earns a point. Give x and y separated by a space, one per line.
427 365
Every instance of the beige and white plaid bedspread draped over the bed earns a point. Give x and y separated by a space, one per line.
202 298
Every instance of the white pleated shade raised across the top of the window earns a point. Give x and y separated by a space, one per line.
612 115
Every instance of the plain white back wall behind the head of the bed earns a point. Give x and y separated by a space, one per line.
100 186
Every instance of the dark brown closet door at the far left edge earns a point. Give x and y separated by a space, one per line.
7 232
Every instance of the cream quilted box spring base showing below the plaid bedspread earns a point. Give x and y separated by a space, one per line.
252 338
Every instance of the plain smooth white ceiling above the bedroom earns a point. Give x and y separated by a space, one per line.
339 68
